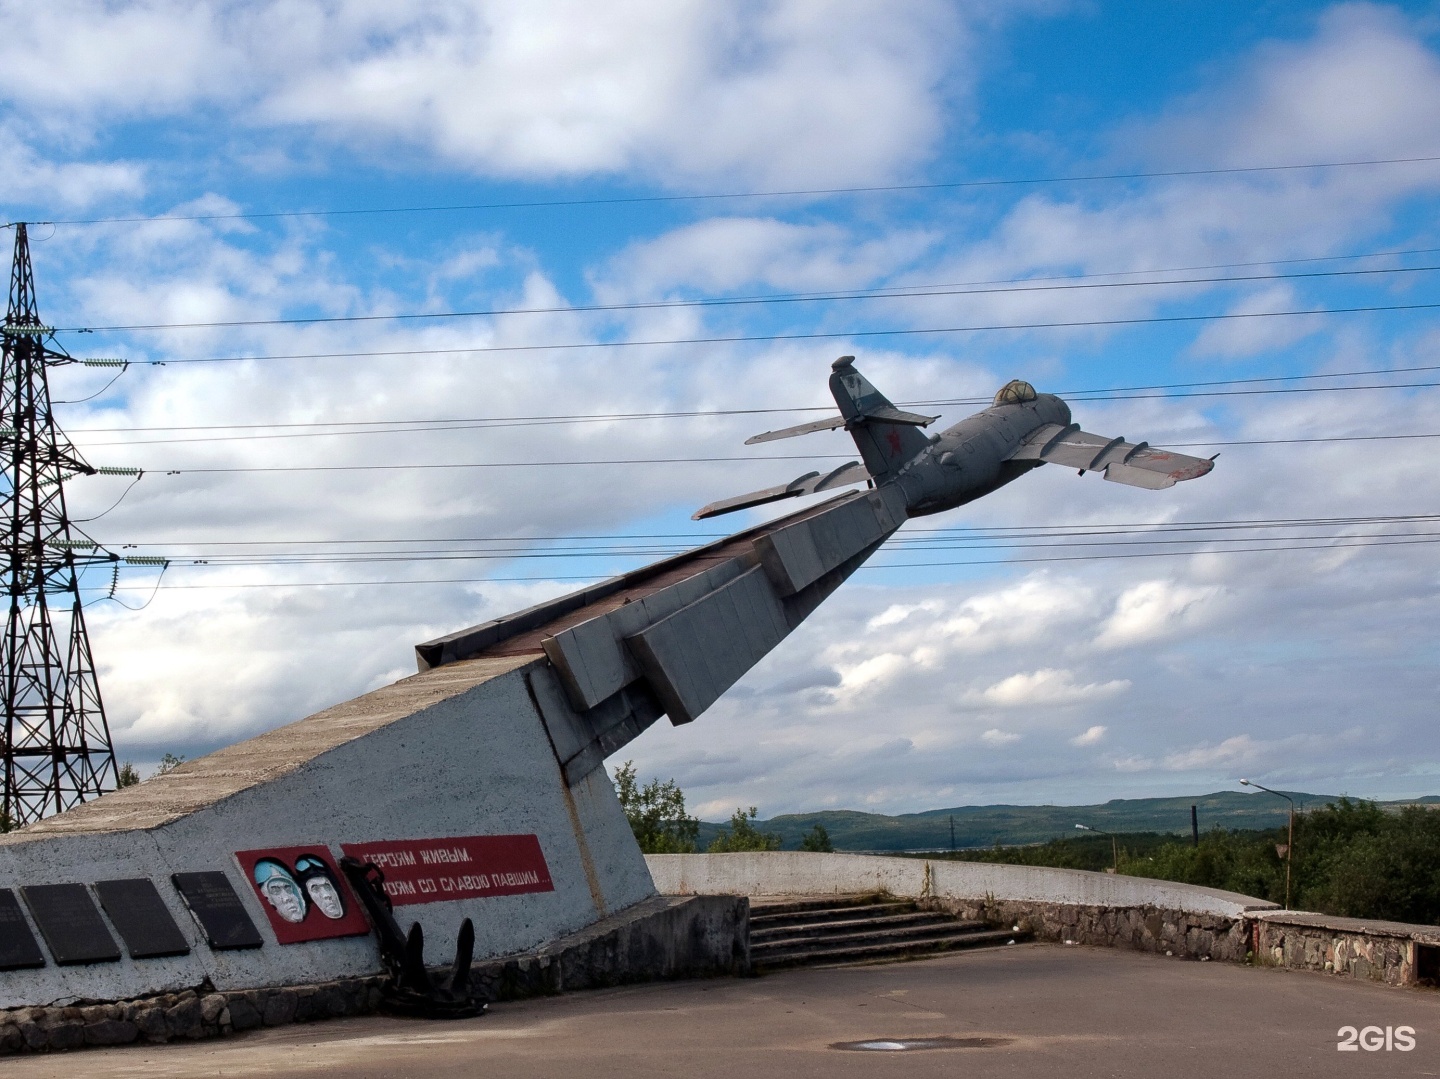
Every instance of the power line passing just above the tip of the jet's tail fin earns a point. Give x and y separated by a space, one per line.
839 335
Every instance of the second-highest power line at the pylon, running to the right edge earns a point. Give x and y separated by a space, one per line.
894 293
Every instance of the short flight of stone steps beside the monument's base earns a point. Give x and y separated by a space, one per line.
832 930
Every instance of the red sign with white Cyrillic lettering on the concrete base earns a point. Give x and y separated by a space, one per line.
457 868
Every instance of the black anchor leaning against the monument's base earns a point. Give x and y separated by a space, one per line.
413 990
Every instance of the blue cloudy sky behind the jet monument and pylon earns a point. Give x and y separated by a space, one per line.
519 231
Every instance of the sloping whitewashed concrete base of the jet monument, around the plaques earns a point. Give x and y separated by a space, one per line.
470 761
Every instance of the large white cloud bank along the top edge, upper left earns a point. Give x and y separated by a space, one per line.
793 91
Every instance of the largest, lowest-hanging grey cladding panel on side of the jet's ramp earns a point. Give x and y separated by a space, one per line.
702 650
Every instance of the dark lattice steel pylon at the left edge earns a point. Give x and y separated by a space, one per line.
57 743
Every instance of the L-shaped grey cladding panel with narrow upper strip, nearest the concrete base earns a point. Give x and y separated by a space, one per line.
590 658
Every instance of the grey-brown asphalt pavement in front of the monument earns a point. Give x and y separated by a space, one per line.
1025 1011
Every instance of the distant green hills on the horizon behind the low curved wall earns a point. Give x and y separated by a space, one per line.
984 826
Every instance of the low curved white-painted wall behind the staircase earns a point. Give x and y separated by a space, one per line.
803 874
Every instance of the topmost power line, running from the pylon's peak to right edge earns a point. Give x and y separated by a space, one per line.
804 192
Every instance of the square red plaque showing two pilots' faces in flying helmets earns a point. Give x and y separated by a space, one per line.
305 895
